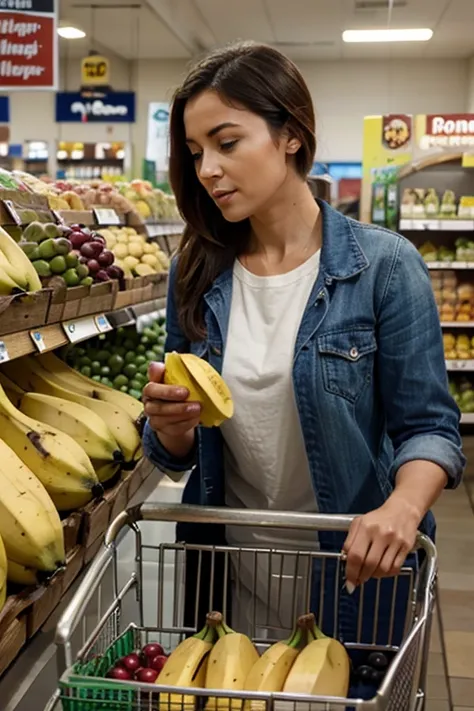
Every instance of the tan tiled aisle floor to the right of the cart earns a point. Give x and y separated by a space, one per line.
451 668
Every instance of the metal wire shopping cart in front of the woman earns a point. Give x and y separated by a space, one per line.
120 606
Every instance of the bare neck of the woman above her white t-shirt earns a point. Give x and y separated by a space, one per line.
285 233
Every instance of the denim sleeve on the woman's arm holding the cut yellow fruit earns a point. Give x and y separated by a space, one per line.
175 341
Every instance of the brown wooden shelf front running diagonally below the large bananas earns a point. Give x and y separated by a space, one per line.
26 612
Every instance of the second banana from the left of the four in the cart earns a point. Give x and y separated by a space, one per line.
229 665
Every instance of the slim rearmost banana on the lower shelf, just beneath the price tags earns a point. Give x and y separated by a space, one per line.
85 386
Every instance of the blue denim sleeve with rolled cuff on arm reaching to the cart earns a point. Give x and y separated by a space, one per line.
422 417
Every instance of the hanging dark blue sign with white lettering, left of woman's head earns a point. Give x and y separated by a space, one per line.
117 107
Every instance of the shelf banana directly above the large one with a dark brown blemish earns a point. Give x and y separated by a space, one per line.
86 427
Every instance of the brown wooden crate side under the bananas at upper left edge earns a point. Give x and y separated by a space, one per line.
24 311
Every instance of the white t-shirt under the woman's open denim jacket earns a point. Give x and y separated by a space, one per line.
266 464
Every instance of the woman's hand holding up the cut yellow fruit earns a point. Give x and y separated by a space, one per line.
169 415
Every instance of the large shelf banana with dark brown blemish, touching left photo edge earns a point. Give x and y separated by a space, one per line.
54 457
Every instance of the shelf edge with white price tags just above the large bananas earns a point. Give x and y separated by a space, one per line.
48 338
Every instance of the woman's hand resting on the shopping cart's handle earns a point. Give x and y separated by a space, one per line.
379 542
